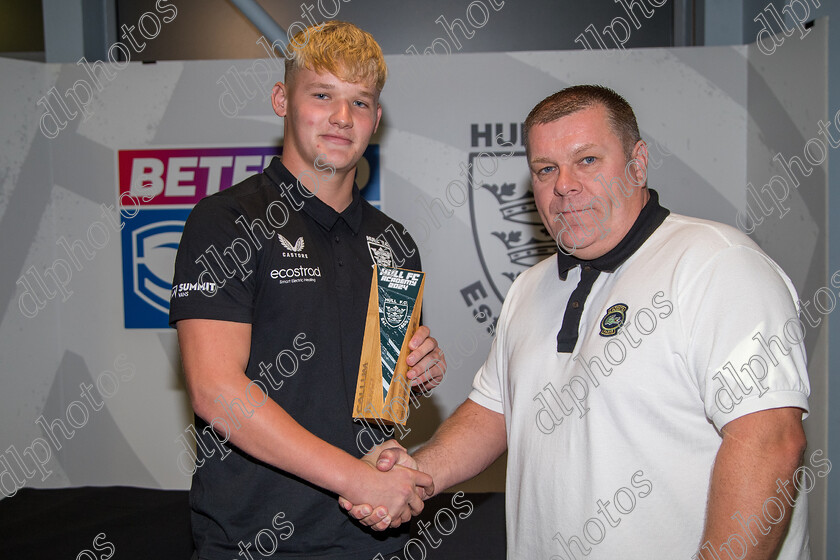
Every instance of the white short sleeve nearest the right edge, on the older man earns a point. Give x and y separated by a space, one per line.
743 335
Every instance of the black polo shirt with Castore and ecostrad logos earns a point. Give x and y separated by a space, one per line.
269 253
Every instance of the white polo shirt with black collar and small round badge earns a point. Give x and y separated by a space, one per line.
611 444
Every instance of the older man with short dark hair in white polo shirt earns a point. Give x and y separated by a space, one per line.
643 379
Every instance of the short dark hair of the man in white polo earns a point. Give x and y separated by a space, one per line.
576 98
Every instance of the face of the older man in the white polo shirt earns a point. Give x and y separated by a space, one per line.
587 193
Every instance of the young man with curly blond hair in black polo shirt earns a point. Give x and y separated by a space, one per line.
271 349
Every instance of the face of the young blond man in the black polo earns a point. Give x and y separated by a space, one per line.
328 120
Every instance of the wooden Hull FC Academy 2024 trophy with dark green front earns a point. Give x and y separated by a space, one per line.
382 389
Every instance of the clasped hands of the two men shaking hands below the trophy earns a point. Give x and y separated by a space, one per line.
395 492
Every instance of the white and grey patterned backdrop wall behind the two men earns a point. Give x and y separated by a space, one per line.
713 117
